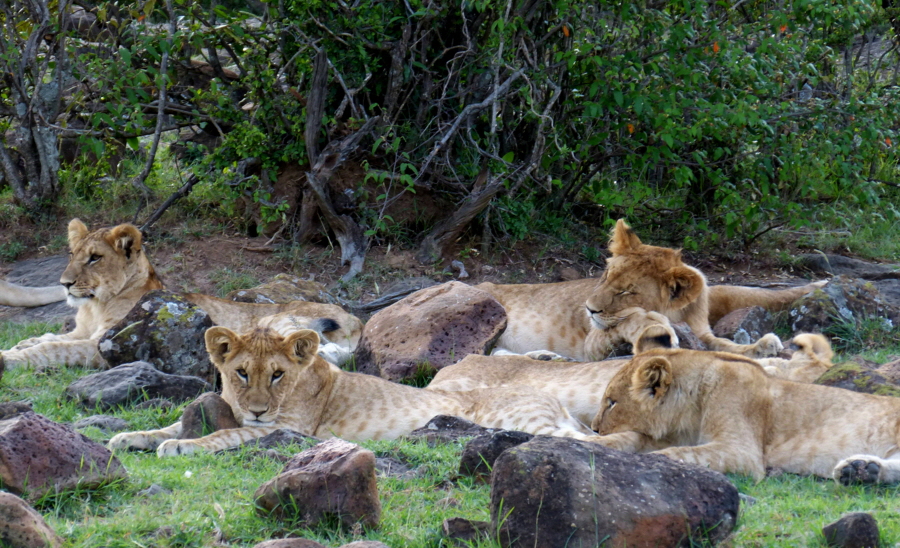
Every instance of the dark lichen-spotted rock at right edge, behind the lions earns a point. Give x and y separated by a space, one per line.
842 299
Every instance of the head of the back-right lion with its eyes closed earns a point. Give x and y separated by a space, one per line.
643 276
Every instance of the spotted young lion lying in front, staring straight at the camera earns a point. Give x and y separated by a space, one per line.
273 381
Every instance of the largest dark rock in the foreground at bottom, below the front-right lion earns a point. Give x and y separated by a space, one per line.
564 492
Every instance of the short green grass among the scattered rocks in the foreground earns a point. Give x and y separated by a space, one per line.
210 497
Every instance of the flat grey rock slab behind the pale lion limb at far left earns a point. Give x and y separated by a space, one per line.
38 273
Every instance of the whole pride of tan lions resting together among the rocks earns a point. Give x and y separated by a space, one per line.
735 408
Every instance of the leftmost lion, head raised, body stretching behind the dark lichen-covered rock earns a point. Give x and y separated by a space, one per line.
109 272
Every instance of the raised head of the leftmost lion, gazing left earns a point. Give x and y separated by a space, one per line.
105 263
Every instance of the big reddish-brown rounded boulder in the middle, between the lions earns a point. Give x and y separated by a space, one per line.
431 328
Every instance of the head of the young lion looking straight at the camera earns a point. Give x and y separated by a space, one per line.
267 377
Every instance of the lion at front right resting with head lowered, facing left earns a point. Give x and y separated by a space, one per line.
722 411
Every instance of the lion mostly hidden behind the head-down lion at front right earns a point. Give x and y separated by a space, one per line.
579 387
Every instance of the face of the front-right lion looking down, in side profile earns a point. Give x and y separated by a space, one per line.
633 394
